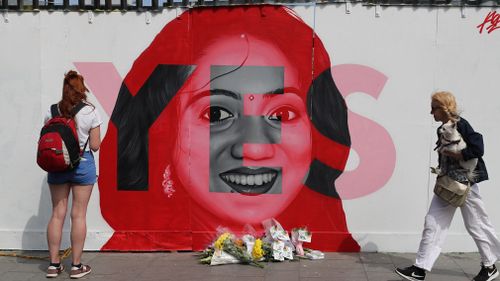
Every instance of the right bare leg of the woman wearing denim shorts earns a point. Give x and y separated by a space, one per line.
81 197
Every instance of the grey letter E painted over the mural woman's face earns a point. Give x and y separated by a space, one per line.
226 145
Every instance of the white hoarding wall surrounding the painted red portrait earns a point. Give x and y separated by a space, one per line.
400 54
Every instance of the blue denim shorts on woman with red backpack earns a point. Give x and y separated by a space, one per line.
83 174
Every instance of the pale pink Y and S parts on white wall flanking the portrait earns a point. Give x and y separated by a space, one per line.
370 140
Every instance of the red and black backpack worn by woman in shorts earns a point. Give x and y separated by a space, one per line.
58 146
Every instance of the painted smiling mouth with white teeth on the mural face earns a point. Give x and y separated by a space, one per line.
249 181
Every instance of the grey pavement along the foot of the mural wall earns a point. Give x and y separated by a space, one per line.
181 266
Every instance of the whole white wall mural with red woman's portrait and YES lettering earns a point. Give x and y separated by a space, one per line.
383 65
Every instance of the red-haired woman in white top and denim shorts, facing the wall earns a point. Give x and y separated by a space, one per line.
78 182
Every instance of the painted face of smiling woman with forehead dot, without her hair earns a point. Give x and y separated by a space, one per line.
244 145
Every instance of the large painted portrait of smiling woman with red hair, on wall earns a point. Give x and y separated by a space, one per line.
228 118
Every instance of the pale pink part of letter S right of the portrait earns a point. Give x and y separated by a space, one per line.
372 142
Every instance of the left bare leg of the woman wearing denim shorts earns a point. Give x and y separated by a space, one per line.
59 194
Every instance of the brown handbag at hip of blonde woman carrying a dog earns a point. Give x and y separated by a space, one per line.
451 191
